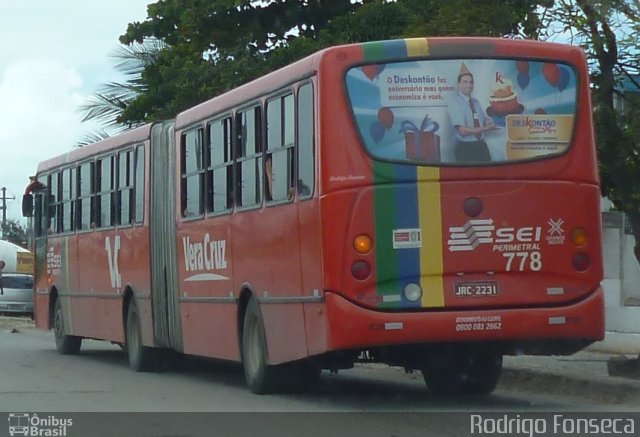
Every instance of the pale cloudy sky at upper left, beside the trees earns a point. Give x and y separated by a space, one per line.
53 56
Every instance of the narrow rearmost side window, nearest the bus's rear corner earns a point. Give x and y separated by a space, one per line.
305 131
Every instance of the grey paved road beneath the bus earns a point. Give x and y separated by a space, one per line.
381 400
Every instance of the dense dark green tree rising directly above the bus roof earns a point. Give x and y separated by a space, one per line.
213 46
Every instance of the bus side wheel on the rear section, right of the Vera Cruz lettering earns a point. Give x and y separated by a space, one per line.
260 377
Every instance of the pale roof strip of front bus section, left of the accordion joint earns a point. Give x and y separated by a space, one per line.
133 136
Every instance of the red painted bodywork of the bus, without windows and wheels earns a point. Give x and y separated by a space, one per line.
297 258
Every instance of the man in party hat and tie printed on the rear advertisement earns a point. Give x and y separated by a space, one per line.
469 121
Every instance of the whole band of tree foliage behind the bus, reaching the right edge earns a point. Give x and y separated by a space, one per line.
211 46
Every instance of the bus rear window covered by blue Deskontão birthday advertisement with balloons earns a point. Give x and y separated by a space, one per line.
463 111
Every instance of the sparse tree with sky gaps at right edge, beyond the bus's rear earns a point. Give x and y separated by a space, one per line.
608 31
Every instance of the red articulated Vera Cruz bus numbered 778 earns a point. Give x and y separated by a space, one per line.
429 203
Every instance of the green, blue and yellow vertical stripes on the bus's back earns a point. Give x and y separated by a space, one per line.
406 197
